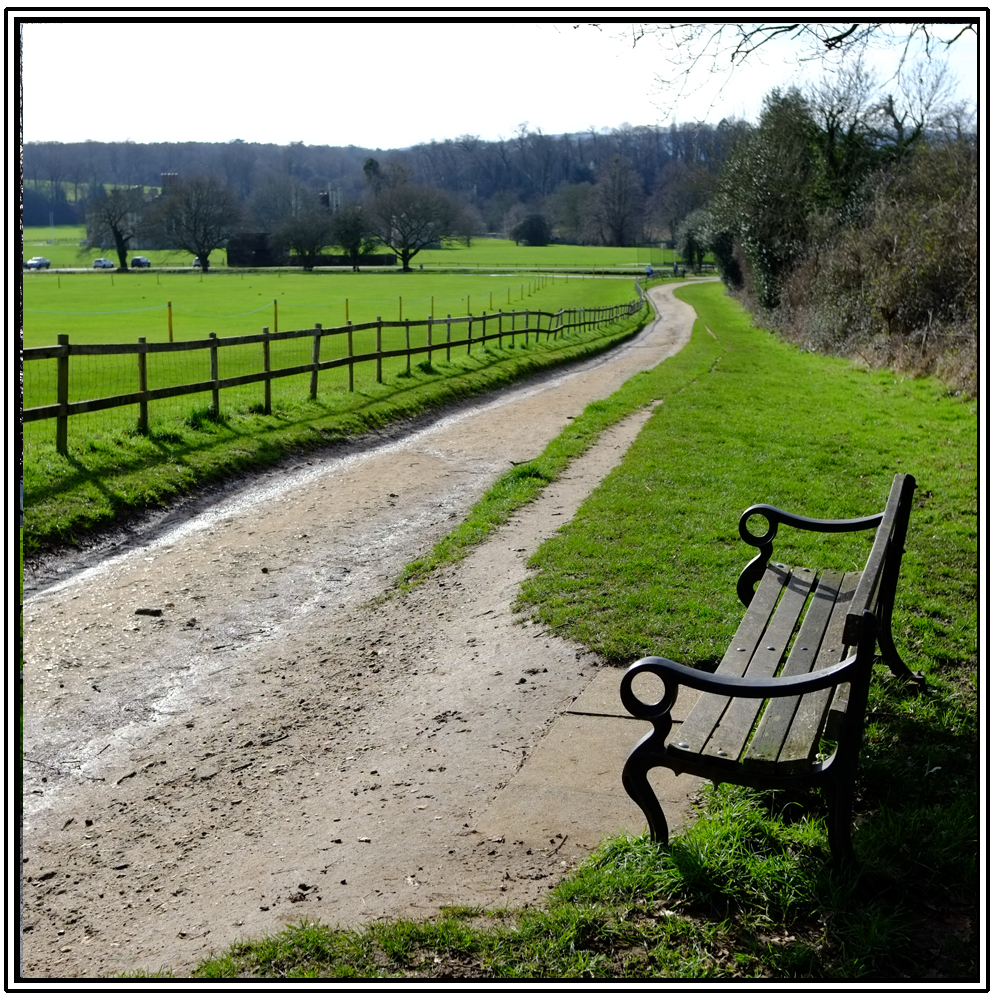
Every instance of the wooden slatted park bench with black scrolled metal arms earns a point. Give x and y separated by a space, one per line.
786 707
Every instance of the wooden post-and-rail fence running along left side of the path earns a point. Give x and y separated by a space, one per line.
508 324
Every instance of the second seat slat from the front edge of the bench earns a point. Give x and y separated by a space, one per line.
735 726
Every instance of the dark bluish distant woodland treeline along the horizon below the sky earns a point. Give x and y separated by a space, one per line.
670 171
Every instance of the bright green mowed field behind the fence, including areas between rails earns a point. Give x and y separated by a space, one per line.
106 308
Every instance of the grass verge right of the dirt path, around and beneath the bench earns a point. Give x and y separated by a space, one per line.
649 565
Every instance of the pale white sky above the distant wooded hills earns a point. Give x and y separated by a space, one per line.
384 84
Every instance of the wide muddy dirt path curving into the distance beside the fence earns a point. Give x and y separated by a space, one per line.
268 745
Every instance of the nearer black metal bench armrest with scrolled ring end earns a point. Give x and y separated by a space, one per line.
674 674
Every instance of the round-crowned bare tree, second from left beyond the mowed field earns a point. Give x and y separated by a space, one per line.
199 216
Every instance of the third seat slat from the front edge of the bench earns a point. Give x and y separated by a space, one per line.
765 747
